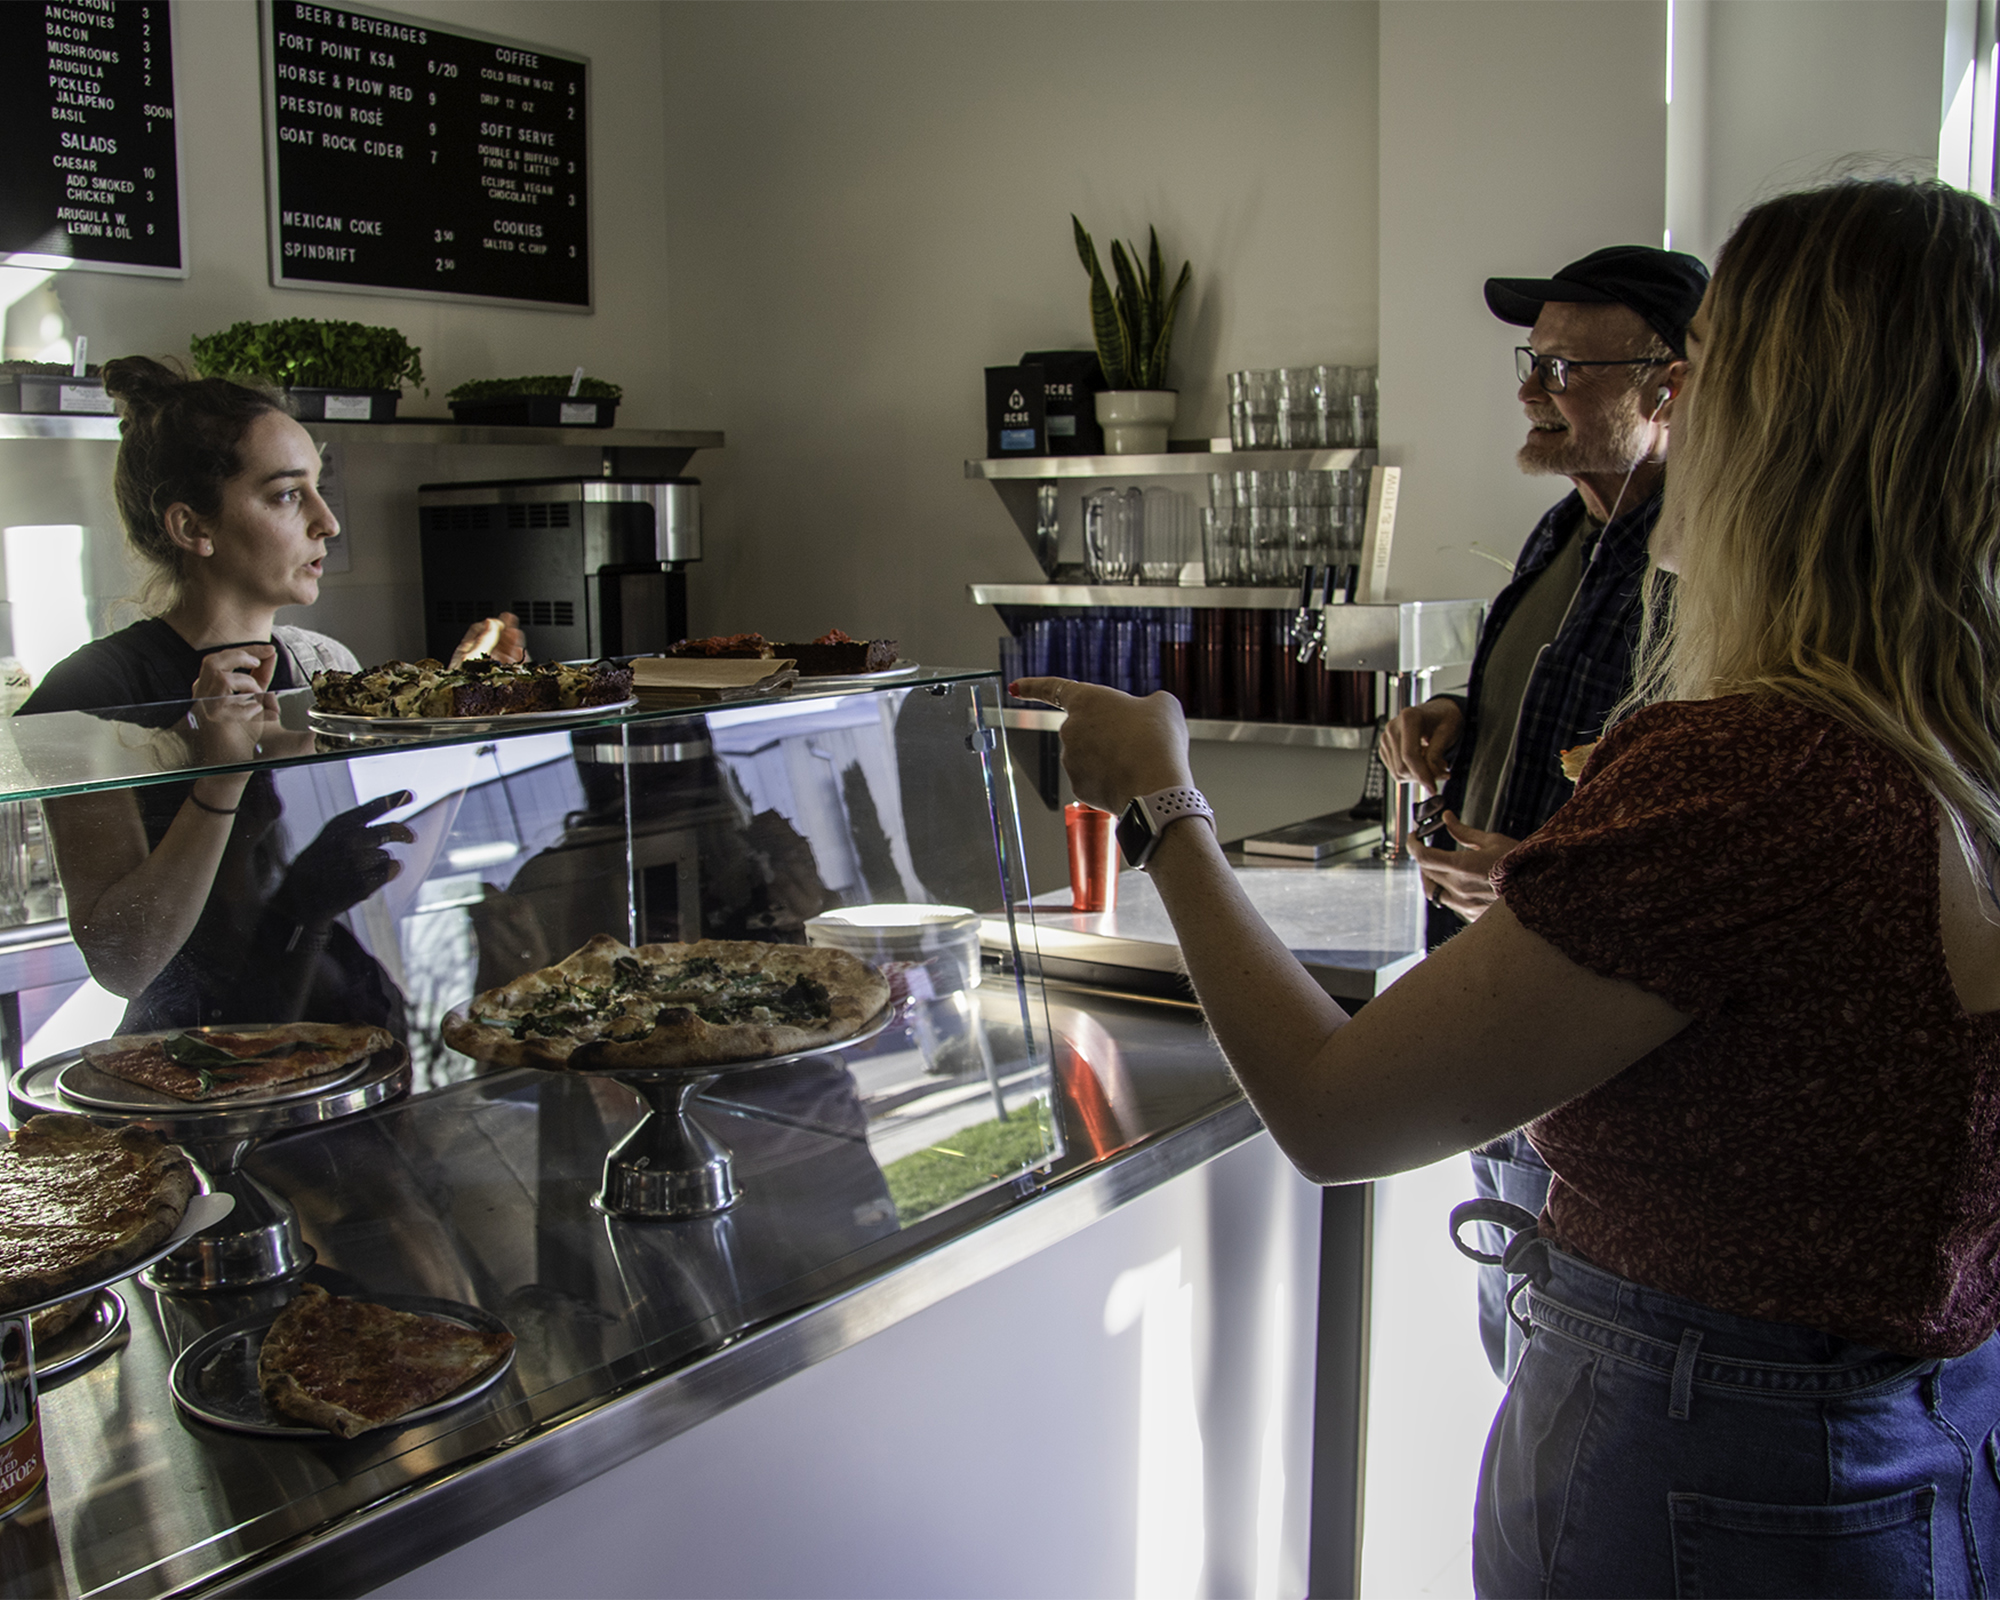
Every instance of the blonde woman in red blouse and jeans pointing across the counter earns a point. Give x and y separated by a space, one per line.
1745 989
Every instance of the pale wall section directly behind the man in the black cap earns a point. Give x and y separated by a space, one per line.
1517 135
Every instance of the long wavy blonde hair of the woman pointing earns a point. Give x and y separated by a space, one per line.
1835 485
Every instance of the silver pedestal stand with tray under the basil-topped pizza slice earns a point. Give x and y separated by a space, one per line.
259 1241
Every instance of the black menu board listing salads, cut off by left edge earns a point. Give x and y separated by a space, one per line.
87 121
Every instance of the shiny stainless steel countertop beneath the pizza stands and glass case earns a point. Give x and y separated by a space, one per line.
629 1333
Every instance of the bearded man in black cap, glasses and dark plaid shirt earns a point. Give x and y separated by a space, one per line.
1599 375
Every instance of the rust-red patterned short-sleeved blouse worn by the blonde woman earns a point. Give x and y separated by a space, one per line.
1823 1143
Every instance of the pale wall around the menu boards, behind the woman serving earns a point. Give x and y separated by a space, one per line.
375 607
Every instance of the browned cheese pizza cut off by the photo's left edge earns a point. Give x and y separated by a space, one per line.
79 1203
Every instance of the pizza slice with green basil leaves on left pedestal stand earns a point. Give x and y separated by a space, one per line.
221 1065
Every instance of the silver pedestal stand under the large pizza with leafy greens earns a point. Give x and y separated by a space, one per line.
671 1167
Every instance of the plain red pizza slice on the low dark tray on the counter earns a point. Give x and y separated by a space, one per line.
349 1365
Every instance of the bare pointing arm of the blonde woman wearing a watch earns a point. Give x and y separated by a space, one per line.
1483 1037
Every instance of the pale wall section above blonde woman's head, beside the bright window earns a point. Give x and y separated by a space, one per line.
1771 97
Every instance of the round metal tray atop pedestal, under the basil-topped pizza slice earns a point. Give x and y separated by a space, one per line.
67 1083
